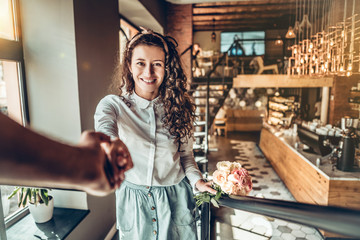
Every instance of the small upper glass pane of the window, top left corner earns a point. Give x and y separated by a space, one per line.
6 20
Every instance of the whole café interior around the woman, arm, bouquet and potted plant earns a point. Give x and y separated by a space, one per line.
276 84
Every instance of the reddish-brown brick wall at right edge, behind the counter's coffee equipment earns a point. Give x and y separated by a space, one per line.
340 92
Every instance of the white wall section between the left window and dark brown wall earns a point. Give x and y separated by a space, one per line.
50 65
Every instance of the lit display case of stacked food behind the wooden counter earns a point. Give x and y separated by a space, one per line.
282 110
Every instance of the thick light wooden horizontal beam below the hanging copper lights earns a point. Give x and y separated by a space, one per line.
281 81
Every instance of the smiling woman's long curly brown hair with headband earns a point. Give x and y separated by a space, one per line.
179 108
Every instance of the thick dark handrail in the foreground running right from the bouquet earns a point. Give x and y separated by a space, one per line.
339 220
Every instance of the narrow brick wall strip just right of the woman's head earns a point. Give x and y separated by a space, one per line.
179 26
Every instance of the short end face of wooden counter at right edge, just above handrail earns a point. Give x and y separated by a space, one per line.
345 193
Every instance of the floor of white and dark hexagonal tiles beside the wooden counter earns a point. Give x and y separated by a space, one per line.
228 224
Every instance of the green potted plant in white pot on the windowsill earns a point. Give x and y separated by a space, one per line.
41 204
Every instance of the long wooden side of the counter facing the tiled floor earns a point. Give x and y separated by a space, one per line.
304 182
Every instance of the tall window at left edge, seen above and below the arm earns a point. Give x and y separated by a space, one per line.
12 87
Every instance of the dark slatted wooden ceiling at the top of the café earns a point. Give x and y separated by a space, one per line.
244 15
